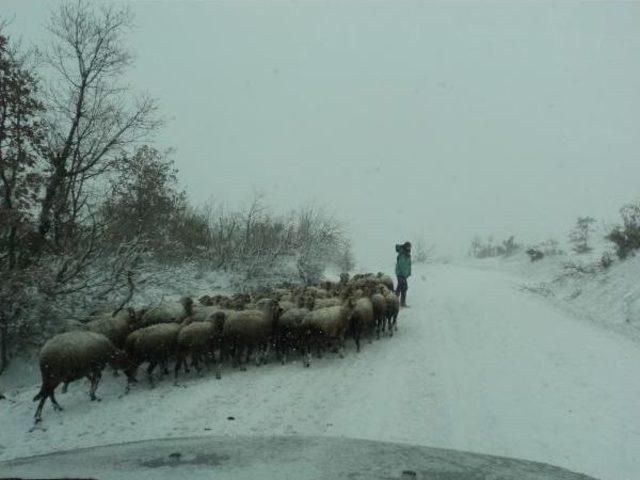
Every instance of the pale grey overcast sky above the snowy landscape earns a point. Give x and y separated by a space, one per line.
405 118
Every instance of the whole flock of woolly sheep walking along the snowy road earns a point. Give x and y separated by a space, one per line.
285 321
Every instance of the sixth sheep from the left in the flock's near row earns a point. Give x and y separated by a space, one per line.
329 324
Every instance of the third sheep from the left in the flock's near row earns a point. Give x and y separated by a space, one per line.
200 340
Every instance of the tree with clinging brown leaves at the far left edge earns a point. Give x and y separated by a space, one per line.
19 142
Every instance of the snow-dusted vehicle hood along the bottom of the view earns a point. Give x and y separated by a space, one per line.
277 458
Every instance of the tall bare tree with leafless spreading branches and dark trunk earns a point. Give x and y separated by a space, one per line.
90 119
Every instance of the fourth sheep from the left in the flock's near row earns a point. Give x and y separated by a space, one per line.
247 330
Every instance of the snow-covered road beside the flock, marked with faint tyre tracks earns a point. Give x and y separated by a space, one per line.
477 365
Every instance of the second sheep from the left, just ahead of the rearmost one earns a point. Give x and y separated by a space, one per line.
154 344
